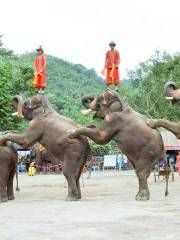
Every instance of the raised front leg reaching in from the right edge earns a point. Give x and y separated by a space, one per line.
171 126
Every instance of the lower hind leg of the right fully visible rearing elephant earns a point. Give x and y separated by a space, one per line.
143 170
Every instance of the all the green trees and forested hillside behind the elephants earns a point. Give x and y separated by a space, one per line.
68 82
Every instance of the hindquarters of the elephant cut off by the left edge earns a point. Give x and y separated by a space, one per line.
8 164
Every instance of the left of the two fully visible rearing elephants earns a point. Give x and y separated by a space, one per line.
49 128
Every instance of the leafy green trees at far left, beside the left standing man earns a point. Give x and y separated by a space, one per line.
14 79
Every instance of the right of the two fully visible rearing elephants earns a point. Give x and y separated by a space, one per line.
142 145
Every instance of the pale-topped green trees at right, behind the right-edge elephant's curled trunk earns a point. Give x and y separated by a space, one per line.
147 92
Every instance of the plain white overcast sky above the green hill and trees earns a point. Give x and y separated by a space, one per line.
79 30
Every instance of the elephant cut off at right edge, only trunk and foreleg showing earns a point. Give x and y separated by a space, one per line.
172 93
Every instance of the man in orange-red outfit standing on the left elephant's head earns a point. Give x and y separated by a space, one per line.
39 80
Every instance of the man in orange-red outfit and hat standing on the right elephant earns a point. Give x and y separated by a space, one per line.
112 61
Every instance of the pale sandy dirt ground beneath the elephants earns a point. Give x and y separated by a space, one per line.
107 210
